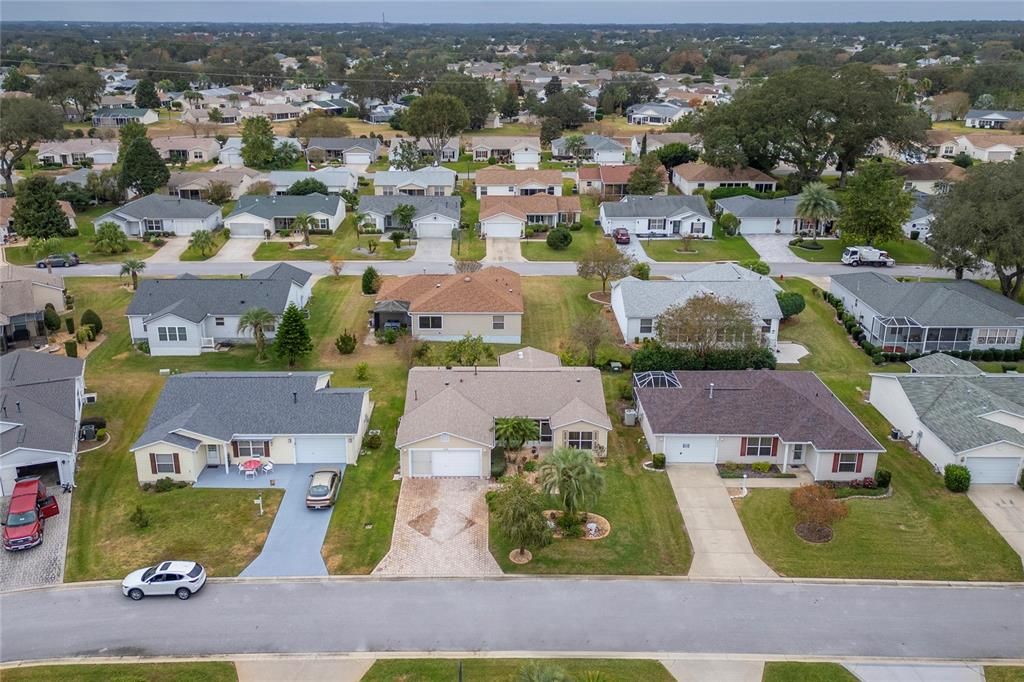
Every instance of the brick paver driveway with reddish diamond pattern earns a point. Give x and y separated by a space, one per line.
441 530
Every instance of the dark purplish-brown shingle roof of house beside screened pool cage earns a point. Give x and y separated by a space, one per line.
797 406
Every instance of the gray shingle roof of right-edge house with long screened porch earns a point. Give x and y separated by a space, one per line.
951 304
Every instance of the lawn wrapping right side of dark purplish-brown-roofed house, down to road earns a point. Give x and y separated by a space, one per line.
922 533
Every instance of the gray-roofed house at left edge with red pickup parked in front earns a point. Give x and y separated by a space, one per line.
41 398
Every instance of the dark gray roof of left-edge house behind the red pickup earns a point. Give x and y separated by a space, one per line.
45 386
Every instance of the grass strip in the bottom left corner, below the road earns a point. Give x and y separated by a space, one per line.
217 671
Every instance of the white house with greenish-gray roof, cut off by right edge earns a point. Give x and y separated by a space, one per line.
954 413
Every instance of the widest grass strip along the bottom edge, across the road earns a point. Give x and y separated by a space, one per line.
507 670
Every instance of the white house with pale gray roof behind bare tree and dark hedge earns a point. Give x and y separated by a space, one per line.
638 304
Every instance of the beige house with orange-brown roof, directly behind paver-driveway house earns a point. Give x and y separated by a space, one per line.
447 308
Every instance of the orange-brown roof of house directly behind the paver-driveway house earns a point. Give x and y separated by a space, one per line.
490 290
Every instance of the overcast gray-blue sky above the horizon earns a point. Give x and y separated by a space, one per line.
489 12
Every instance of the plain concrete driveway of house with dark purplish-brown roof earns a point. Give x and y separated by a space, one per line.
721 548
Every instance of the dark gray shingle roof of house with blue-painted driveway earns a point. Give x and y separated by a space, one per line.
196 403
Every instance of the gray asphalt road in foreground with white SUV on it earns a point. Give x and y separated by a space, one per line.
531 615
